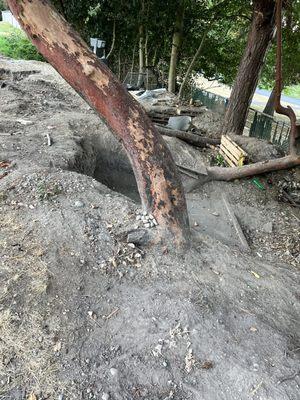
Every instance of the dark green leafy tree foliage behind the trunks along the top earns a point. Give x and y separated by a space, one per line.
227 22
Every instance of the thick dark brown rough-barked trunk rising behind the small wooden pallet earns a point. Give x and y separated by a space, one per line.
259 37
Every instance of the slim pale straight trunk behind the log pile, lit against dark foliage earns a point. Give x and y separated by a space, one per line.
176 43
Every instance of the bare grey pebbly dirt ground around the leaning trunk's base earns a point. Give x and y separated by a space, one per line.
86 315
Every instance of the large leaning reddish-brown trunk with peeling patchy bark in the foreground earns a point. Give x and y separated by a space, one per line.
157 179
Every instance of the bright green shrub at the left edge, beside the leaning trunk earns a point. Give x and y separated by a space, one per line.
16 45
